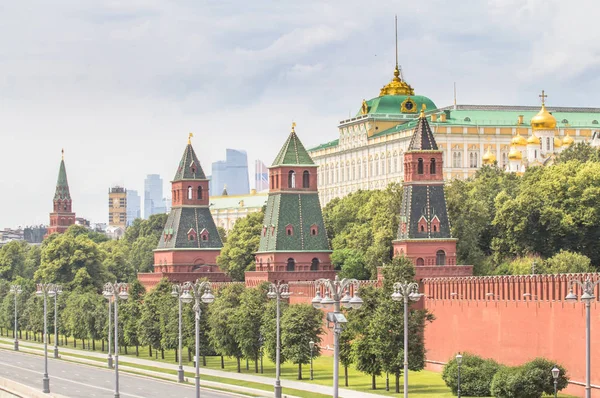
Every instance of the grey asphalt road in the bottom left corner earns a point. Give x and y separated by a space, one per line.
76 380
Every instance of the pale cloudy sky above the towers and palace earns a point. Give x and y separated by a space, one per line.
120 84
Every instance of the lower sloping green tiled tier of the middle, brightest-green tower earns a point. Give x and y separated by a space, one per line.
300 211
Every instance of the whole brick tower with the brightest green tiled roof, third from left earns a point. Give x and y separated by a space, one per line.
293 242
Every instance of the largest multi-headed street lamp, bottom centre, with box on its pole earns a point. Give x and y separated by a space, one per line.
336 295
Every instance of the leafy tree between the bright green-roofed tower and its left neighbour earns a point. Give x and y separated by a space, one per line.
237 255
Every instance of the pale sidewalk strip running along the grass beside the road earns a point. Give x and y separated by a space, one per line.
123 361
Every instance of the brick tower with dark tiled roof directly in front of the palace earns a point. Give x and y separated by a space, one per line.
424 230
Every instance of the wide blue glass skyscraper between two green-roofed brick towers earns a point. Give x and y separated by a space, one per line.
233 172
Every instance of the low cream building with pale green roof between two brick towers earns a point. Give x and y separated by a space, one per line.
227 209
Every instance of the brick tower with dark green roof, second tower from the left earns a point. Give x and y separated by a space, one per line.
190 242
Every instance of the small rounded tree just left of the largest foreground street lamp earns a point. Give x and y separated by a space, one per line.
300 324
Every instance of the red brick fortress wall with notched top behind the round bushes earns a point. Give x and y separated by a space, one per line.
491 317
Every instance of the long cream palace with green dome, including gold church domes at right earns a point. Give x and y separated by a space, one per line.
369 151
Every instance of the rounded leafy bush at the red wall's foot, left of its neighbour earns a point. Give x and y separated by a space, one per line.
476 375
